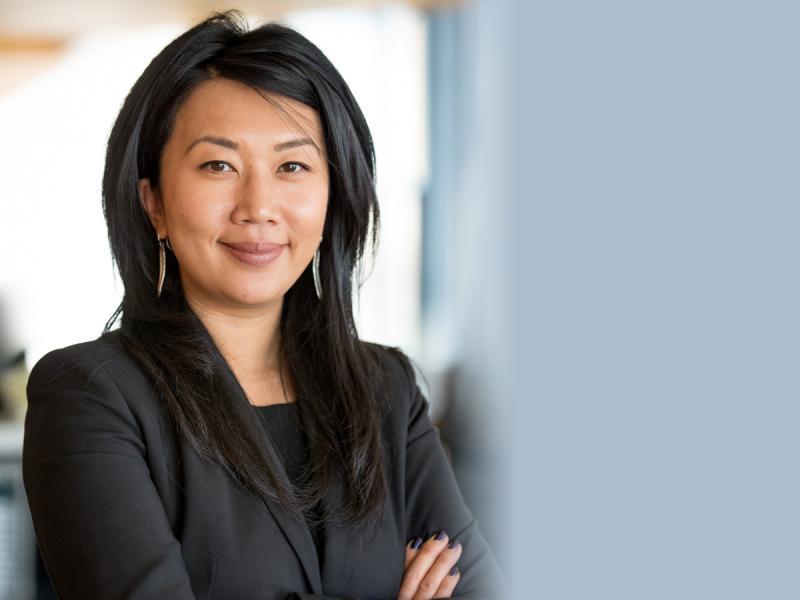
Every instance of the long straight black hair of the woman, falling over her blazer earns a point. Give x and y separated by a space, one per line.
335 374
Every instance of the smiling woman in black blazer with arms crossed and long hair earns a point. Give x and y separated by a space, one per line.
233 438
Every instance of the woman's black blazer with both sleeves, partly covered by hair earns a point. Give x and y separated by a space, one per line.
123 507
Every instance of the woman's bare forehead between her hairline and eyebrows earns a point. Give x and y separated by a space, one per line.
224 107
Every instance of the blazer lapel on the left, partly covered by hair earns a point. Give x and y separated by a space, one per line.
297 534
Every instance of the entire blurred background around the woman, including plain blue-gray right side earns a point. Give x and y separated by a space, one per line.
589 247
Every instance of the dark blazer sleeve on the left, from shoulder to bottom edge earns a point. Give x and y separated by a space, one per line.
100 525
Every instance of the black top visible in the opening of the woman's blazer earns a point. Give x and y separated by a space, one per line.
282 423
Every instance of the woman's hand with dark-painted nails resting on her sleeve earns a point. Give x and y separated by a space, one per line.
430 570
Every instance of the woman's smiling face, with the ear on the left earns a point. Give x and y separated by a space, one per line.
243 195
